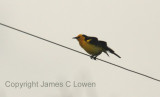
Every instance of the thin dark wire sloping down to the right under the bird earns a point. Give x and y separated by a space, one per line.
81 52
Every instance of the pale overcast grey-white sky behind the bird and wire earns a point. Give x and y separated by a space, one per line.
130 27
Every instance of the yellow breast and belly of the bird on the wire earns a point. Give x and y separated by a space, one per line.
90 48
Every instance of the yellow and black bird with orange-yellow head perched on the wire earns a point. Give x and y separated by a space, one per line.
93 46
